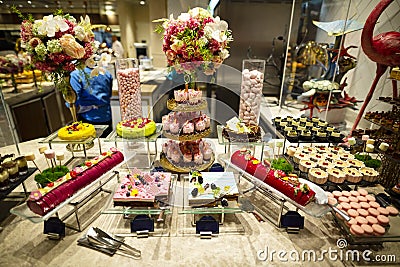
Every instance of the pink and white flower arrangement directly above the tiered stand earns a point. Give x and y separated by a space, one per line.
195 40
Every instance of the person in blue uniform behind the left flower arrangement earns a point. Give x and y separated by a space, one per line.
93 97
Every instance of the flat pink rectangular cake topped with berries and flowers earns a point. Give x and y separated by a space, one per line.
142 187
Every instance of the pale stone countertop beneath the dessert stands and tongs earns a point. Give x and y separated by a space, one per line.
243 239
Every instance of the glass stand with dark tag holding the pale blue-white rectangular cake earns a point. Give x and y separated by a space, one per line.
193 219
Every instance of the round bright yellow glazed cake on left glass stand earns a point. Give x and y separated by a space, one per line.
77 131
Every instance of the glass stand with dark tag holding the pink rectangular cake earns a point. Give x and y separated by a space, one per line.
159 214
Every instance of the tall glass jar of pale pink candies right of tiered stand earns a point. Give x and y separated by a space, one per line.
251 90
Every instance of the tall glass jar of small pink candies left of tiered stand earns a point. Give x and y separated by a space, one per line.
128 77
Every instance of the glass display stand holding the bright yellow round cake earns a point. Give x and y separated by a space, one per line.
75 145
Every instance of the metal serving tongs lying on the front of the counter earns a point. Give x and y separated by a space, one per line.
100 239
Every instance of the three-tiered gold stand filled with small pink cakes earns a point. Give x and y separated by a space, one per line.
186 125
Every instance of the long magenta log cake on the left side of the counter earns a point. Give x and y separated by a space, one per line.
43 200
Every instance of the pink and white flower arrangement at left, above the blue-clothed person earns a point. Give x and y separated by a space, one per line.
58 44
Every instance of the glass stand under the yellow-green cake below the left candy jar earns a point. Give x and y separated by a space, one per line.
132 148
